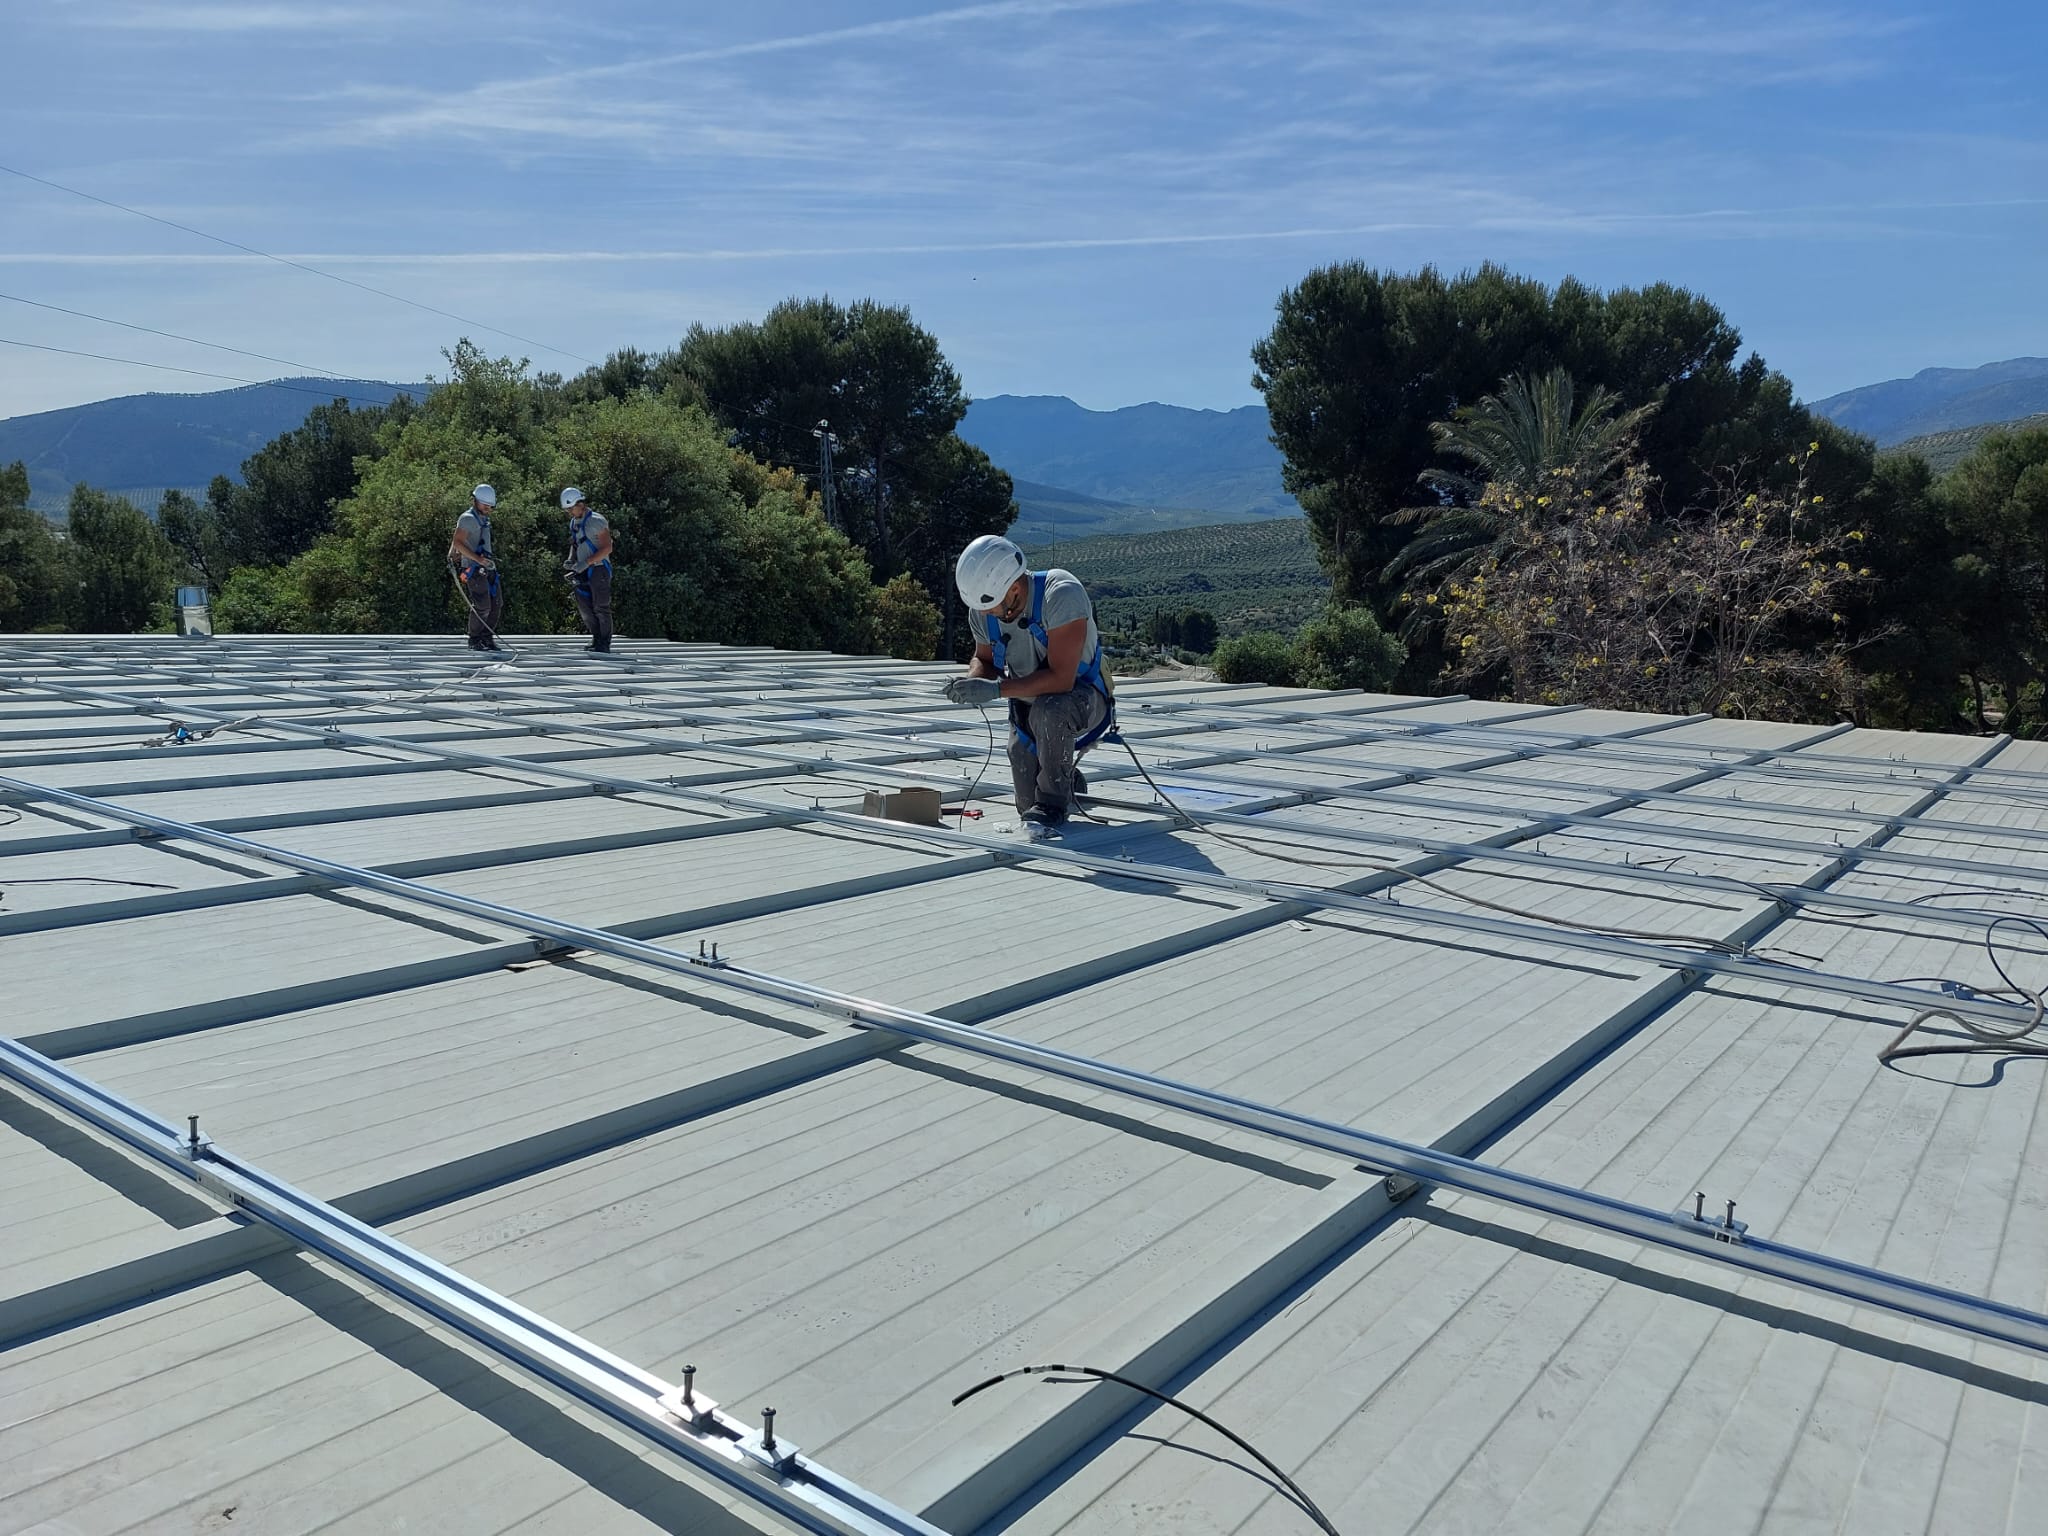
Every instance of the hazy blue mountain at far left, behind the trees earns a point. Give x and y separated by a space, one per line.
144 443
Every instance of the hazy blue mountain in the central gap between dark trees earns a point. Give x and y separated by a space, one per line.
1154 458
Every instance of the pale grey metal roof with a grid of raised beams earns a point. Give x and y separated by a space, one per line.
1621 957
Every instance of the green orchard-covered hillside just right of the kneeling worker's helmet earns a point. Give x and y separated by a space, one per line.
1248 574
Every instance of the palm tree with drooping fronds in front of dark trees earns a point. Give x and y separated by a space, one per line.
1519 439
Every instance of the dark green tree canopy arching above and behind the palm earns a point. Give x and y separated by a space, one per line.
1361 366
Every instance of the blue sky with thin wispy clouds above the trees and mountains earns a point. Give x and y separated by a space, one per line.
1084 198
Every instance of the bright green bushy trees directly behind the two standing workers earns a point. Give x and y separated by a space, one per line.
712 544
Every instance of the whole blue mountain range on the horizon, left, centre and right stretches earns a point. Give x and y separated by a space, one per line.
1078 472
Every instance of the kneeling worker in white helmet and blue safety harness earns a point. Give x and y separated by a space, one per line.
1035 646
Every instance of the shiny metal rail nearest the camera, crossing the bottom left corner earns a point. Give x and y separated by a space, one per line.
675 1420
